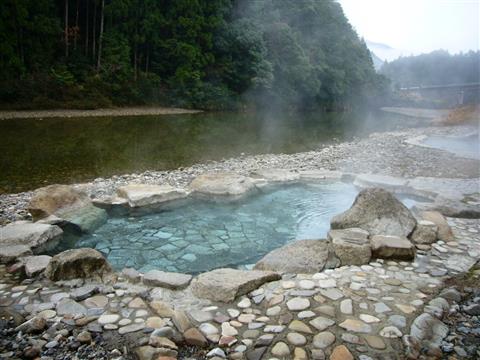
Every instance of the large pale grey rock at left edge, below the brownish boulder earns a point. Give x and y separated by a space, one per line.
23 237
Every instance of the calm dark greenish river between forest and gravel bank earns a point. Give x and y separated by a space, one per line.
38 152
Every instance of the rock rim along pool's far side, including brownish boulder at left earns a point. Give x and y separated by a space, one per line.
58 206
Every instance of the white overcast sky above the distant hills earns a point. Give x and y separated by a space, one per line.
417 26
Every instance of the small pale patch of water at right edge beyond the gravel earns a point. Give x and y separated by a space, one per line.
465 146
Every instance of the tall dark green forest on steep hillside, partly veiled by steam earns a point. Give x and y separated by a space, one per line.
210 54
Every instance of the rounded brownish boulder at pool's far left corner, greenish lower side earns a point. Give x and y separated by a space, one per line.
69 204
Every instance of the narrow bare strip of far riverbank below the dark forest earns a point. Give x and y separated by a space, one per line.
131 111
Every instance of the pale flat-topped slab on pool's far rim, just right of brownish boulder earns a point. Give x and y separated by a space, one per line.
139 195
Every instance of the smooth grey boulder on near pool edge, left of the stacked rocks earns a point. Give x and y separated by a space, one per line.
302 256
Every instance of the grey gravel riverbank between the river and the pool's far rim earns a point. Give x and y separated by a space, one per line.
387 153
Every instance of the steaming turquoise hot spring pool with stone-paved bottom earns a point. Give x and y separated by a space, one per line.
202 235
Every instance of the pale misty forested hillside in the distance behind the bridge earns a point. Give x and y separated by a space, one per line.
435 68
